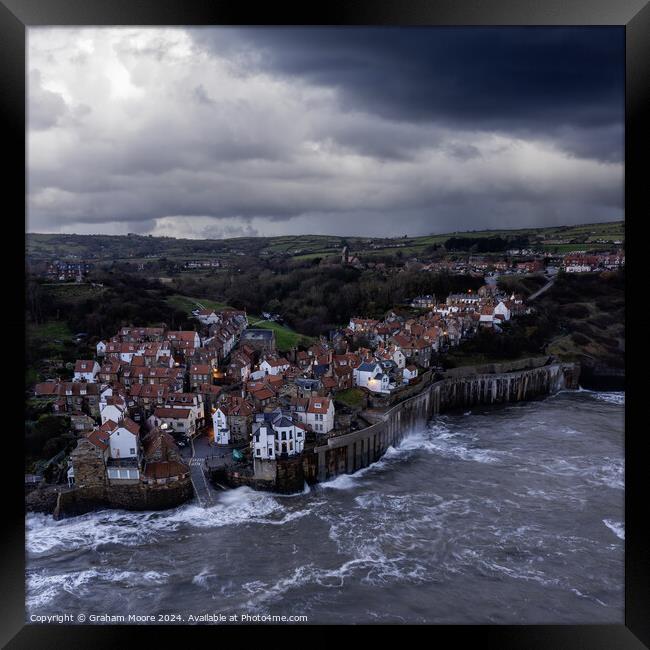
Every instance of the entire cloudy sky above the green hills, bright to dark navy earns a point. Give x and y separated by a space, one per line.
224 132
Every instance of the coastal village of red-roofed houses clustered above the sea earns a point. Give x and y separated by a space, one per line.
168 412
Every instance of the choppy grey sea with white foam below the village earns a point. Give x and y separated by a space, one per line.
501 515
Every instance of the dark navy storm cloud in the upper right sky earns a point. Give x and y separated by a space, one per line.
539 82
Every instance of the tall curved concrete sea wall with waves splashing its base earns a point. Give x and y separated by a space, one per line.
461 388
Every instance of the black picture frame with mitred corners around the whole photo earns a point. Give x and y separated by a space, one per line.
18 15
